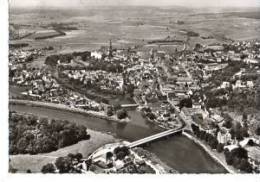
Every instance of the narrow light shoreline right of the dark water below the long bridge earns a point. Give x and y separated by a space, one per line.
209 152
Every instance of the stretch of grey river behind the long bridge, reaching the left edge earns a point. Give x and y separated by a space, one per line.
131 131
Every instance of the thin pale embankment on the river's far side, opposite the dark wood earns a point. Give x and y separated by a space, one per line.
70 109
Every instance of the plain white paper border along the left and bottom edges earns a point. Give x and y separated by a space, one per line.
71 178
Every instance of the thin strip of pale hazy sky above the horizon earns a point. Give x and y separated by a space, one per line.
83 3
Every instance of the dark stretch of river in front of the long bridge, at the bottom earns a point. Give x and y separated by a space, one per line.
184 155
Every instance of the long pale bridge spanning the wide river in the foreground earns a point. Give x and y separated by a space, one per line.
154 137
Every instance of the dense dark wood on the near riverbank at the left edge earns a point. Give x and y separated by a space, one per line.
30 134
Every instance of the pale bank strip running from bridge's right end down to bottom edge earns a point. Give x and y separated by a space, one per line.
214 155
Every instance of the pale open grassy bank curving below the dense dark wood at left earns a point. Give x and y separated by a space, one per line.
23 162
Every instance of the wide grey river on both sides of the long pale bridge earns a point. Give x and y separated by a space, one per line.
178 152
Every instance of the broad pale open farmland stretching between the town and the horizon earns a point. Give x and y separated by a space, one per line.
127 26
